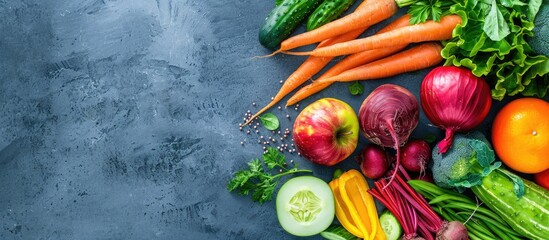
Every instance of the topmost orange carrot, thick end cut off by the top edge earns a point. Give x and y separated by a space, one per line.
367 14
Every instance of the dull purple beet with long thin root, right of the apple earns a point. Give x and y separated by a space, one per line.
388 116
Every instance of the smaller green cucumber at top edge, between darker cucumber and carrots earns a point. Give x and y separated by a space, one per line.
328 11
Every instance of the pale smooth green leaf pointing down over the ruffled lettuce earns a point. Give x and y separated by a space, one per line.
495 25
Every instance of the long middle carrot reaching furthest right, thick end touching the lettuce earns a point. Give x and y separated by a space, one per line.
423 32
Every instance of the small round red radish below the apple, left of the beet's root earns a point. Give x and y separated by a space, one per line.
373 161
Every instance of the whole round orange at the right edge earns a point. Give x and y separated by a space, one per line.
520 135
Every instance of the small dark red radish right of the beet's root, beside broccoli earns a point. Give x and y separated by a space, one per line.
415 156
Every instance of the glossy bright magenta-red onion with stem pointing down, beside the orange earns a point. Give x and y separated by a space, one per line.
455 100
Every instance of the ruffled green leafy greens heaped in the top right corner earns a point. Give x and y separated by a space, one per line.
492 42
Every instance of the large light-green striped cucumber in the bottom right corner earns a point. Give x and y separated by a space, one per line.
527 215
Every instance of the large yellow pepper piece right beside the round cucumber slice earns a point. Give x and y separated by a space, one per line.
355 207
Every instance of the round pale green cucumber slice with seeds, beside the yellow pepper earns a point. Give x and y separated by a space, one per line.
305 206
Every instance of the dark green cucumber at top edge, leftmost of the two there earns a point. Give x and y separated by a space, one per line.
283 20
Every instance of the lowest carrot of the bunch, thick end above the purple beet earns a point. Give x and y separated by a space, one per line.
422 56
